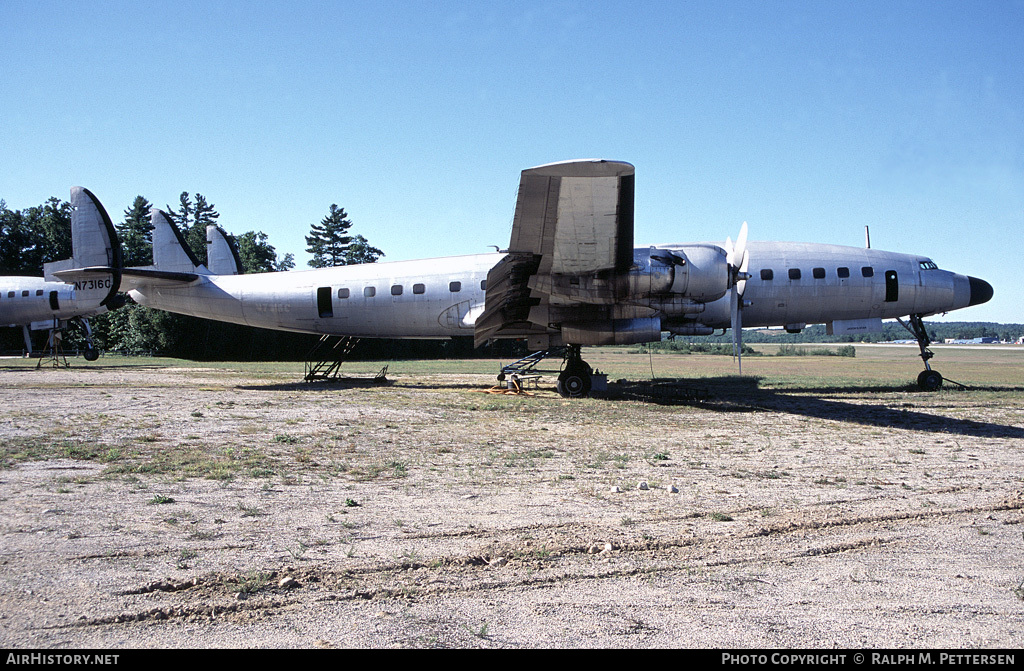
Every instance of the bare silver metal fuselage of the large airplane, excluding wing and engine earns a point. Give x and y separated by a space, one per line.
442 298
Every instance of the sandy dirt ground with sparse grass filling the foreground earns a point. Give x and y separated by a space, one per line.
175 508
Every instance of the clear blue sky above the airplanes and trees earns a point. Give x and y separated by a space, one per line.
809 120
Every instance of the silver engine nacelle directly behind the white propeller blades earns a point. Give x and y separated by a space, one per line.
697 272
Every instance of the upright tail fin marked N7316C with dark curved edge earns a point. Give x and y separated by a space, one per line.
96 265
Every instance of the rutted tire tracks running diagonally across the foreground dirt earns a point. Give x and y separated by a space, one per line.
222 597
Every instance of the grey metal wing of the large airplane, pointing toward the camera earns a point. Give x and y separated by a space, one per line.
572 238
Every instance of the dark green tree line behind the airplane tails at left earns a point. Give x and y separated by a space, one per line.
35 236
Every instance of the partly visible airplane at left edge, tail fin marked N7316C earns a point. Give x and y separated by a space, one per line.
88 285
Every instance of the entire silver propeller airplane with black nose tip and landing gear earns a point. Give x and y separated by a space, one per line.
571 277
